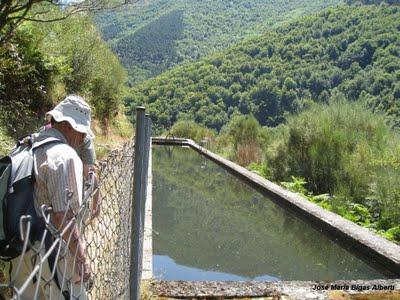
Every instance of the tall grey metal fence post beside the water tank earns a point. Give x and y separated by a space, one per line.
135 265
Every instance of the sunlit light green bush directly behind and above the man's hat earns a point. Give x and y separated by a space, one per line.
84 64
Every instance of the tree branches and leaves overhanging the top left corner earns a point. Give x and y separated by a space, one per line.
14 12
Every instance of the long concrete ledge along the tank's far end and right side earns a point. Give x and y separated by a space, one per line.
365 243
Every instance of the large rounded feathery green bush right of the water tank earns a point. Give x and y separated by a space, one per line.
333 146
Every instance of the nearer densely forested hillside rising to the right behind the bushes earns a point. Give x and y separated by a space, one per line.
353 51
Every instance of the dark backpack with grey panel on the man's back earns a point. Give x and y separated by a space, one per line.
16 197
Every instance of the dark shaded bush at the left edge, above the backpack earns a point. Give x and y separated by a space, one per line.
24 81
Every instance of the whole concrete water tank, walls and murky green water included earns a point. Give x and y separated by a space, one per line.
219 230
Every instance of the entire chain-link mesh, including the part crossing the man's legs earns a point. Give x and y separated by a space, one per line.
53 264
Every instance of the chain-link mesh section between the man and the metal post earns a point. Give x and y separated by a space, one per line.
108 237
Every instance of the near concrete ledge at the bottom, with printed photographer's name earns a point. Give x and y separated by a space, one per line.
296 290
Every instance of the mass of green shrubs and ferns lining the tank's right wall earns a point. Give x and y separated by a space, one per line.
339 155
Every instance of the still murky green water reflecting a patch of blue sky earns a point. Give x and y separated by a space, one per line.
209 225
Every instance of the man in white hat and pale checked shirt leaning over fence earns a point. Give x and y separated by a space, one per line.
58 184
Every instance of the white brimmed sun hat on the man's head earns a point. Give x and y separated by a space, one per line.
75 111
